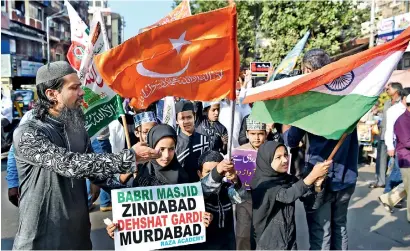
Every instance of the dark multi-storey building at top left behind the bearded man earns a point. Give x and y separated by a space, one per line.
24 38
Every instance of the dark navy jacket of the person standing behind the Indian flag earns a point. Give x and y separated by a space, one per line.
343 172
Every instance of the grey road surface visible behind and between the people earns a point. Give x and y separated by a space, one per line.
369 225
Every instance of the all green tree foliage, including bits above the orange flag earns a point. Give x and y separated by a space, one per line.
283 23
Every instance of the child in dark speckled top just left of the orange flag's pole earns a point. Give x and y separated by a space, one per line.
210 126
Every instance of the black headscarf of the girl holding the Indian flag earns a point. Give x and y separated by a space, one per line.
265 184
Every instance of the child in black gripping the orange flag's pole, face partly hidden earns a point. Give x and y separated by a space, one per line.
220 234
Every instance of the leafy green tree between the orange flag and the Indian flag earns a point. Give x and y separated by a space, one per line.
331 24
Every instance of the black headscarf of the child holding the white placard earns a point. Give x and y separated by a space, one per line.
173 173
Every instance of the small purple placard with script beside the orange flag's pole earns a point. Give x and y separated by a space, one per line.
245 165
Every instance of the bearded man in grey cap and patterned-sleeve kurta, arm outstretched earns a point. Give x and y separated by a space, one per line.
54 156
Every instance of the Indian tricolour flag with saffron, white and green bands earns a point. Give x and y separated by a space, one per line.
330 101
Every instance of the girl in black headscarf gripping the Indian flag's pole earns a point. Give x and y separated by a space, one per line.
274 193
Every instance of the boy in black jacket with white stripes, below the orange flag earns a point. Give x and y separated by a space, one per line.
190 144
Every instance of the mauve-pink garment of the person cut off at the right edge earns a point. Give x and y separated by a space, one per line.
402 131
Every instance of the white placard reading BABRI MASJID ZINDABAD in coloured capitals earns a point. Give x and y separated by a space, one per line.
158 217
